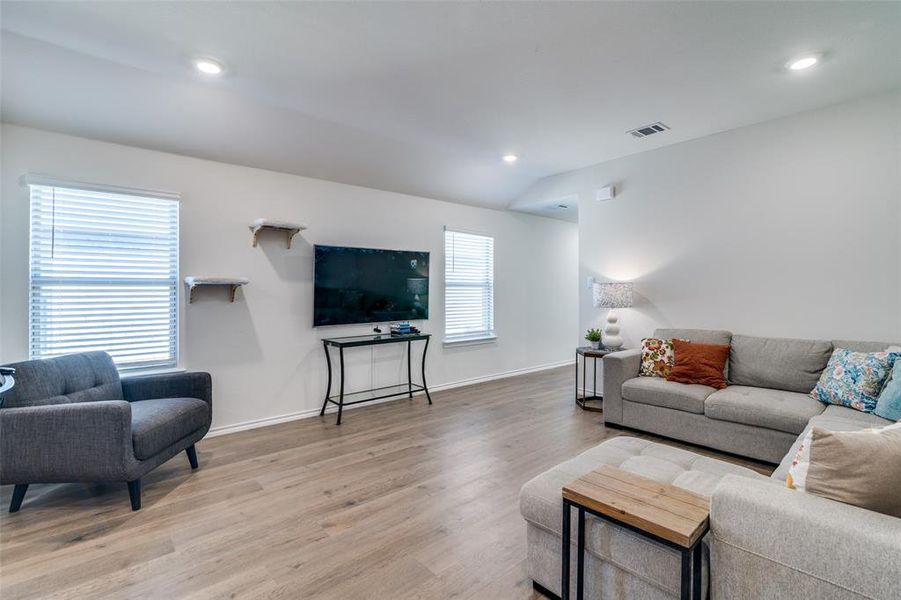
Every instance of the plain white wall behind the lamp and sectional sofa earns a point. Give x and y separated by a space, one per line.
786 228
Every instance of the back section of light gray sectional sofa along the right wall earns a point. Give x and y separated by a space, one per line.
760 413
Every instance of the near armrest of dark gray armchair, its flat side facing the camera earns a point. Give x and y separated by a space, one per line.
82 441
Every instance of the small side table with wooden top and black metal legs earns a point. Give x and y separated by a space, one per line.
670 516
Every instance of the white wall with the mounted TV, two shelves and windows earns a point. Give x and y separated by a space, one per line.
264 354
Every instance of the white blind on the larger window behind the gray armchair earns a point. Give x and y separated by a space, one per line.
104 275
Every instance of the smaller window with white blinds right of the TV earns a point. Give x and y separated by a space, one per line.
468 286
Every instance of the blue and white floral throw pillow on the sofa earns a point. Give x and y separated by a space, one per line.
854 379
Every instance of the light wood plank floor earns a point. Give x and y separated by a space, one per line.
401 501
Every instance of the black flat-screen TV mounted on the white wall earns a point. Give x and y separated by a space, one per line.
367 285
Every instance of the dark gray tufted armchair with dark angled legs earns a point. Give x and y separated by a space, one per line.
71 419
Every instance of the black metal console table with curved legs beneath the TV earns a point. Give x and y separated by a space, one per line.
373 340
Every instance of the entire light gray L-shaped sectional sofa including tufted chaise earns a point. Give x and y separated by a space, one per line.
766 541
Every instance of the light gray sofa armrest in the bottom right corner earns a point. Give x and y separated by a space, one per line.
770 541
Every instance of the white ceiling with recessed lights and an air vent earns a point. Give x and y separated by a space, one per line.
424 98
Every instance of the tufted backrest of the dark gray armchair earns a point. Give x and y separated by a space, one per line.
86 377
